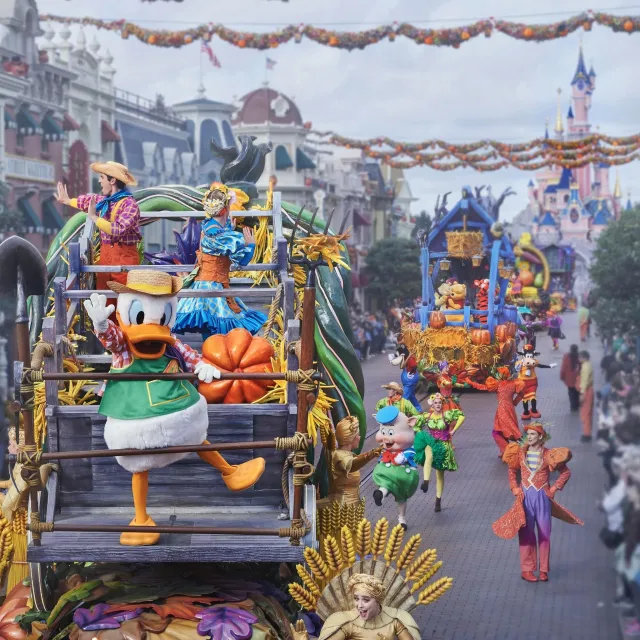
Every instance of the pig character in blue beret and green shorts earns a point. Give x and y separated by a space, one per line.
396 472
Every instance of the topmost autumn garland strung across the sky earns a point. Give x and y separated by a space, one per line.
349 40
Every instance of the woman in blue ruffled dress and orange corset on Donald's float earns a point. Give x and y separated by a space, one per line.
220 247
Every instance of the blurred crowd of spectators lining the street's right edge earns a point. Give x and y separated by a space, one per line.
618 437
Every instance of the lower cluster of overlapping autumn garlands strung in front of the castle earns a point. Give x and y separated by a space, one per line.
490 155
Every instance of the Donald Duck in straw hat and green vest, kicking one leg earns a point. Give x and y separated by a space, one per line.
148 414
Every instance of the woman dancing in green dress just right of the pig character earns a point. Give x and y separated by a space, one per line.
433 444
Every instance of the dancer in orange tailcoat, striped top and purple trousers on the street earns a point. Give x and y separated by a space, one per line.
535 503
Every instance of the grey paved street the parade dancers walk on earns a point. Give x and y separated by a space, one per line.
489 600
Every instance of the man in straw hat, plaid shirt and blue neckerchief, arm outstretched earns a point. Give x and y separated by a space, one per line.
115 213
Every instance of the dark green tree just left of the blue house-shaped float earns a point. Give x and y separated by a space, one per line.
393 269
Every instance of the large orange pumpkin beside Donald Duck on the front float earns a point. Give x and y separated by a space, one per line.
238 351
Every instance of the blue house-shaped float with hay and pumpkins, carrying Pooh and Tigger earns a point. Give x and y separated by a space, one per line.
466 263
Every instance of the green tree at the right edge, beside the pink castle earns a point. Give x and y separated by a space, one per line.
615 272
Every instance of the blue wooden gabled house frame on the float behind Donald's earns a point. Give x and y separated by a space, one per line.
492 253
